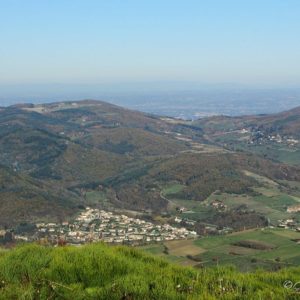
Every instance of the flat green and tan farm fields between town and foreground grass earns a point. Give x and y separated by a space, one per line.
220 250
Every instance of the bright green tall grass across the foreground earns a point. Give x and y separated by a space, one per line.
99 271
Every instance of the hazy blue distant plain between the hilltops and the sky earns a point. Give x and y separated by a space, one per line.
187 101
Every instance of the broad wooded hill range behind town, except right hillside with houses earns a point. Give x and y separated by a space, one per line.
126 156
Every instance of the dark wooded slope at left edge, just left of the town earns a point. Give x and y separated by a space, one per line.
24 199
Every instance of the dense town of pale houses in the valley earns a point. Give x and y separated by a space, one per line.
93 225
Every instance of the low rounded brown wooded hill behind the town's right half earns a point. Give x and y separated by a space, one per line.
199 176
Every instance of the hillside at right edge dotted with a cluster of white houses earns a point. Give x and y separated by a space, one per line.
275 137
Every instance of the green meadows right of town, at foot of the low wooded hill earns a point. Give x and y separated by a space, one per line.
271 199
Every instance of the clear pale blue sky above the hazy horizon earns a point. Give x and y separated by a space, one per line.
109 41
